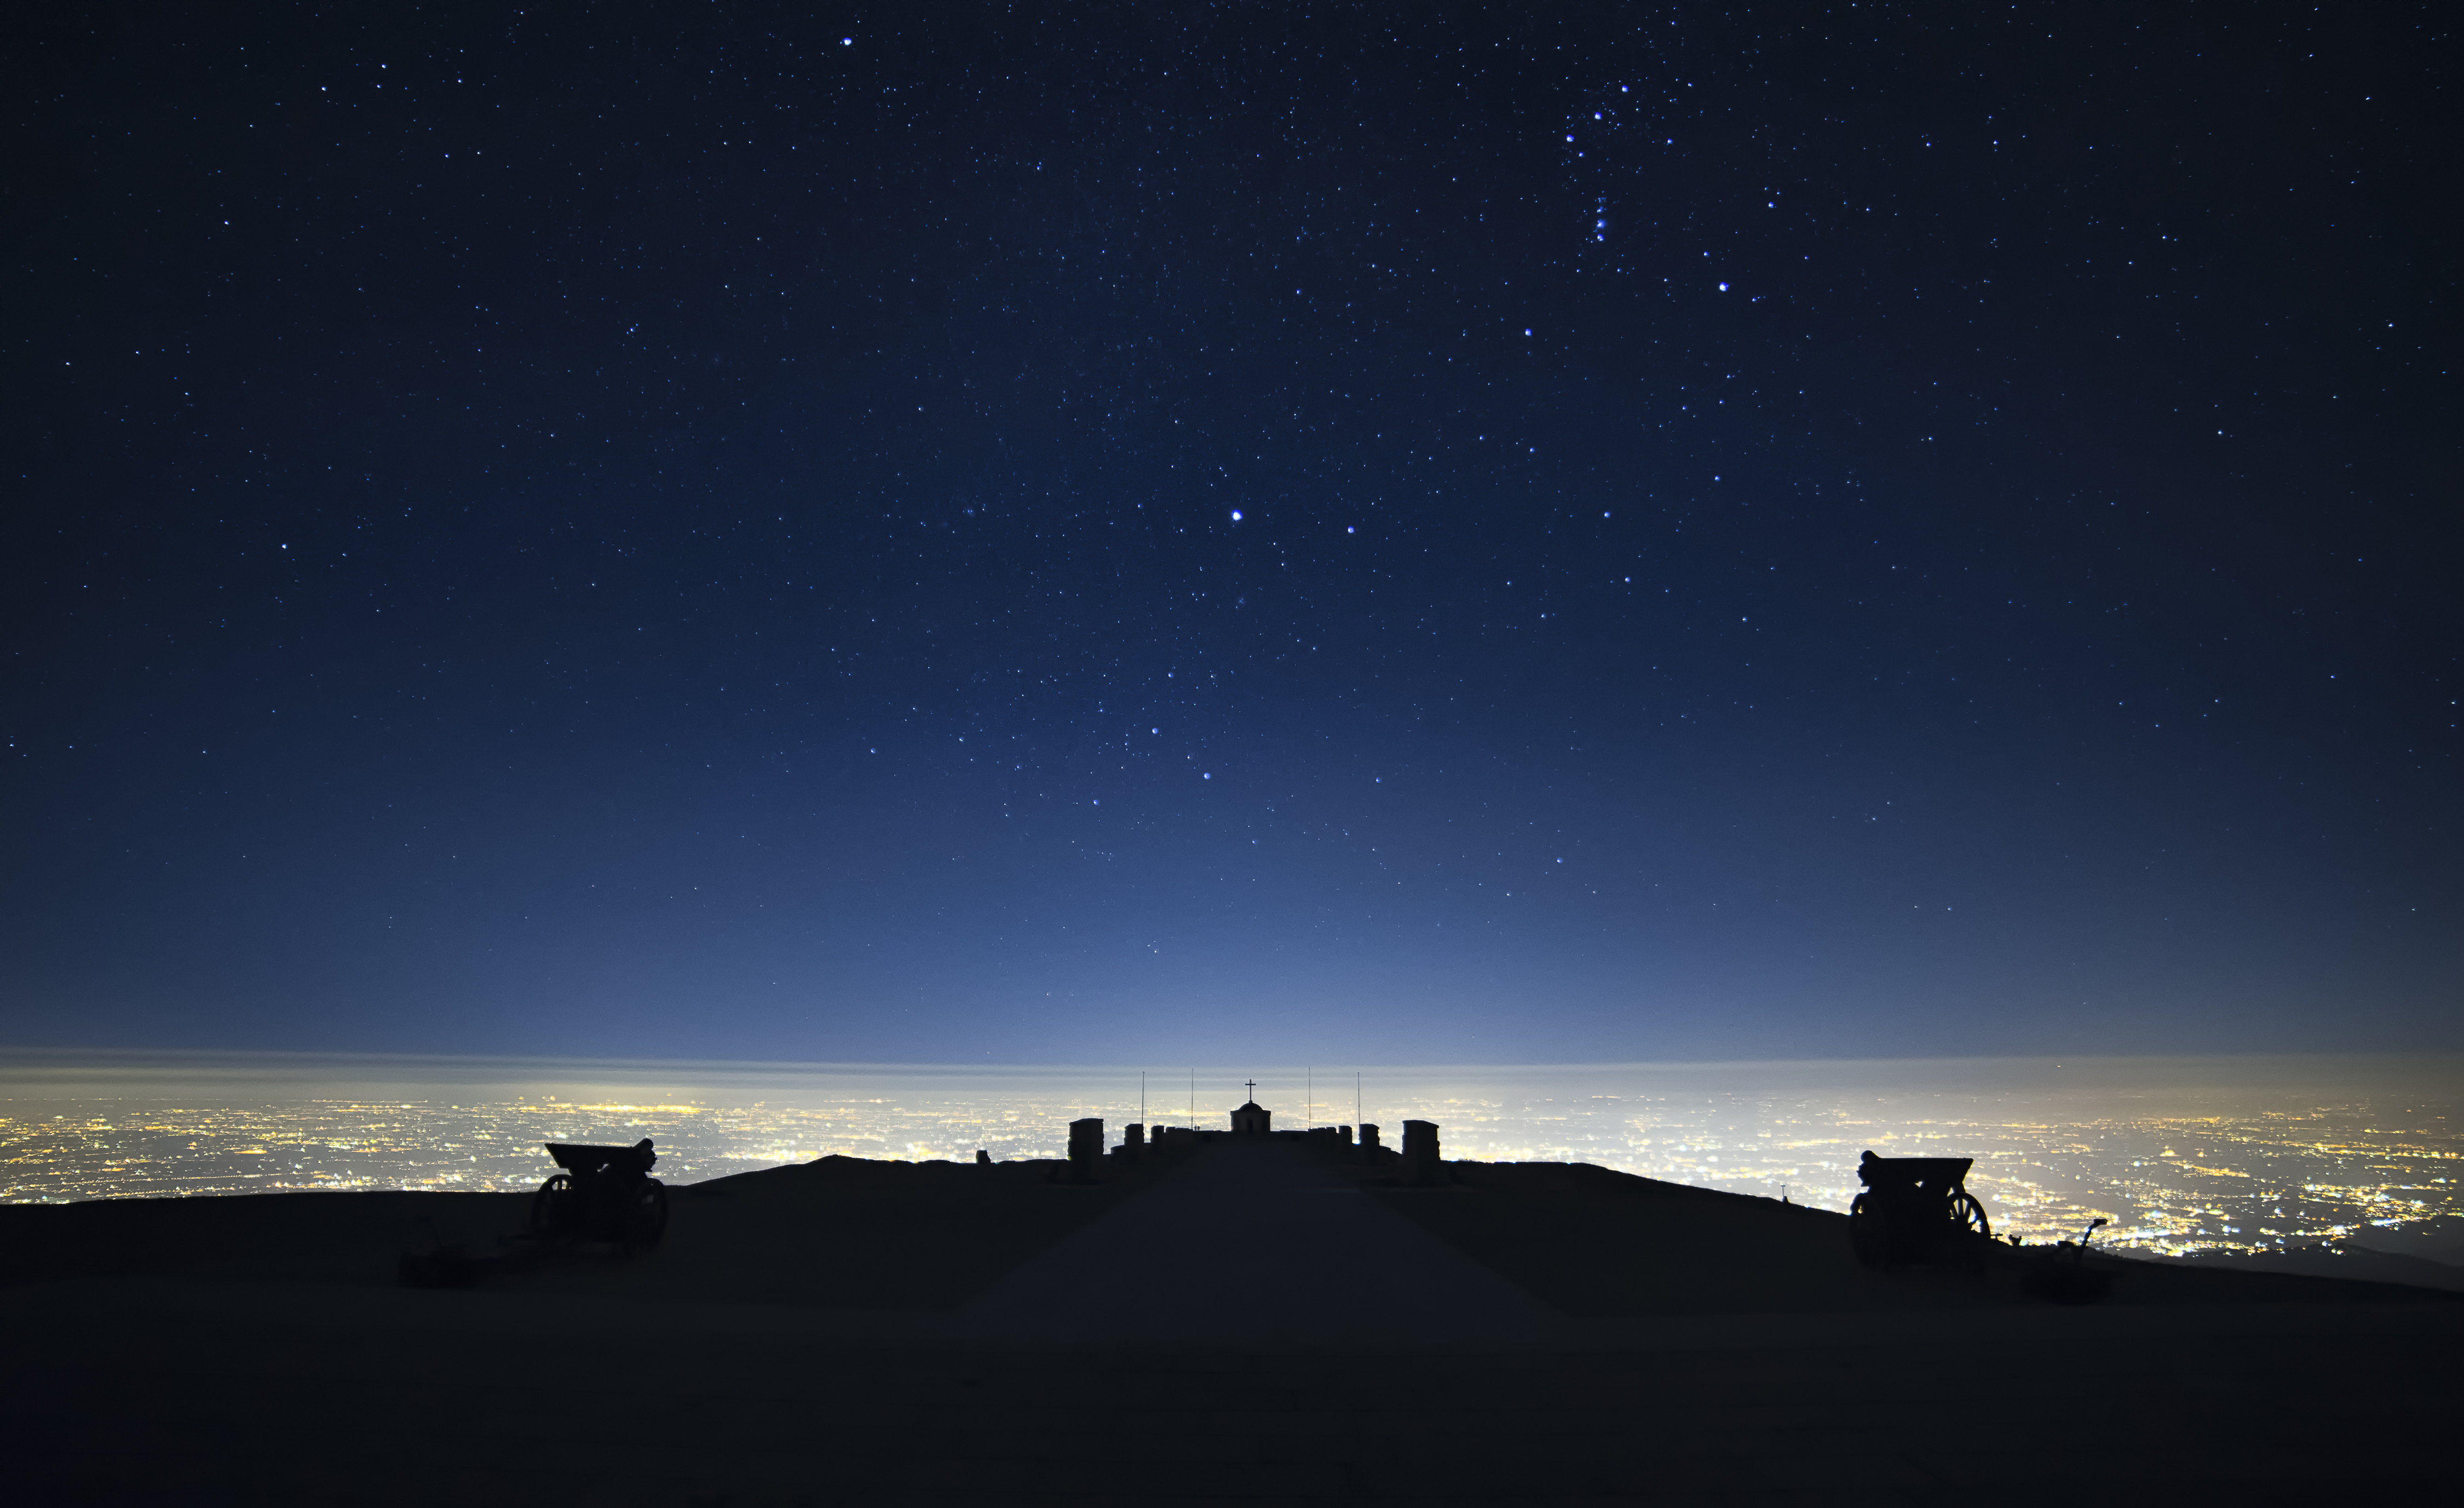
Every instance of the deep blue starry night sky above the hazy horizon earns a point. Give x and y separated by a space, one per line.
1406 533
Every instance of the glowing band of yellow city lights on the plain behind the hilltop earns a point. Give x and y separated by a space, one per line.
2263 1177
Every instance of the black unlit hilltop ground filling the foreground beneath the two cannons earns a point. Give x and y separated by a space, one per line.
1246 1327
